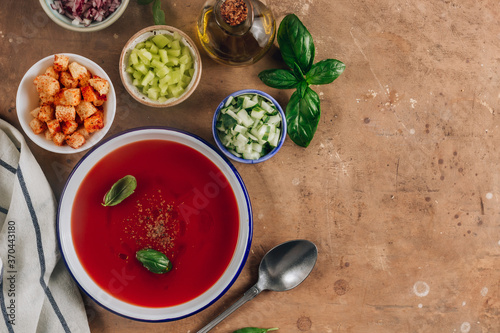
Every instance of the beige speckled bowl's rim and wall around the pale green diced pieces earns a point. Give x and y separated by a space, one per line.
142 36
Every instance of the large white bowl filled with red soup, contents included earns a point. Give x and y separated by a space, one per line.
189 204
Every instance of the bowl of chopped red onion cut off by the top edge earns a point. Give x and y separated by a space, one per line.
84 15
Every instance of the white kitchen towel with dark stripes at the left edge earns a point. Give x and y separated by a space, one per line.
37 293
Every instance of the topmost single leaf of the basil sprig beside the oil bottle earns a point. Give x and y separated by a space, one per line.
296 43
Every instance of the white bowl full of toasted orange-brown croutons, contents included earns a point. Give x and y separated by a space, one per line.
66 103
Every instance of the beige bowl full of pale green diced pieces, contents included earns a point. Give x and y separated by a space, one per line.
160 66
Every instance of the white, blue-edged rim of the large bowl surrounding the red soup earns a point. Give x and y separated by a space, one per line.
108 300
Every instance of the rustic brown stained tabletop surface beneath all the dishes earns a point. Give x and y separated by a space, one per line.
399 188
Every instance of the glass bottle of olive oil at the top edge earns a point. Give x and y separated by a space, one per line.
236 32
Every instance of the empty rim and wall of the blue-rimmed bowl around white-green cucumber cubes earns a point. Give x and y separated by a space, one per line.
228 153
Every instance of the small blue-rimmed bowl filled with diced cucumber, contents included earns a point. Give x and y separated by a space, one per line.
249 126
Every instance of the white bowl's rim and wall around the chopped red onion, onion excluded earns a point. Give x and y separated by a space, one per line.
66 22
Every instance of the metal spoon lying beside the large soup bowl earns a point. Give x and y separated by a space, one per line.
284 267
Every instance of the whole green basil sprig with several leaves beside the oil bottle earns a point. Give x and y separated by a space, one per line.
297 49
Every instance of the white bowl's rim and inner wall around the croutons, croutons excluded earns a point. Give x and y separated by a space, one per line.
27 100
